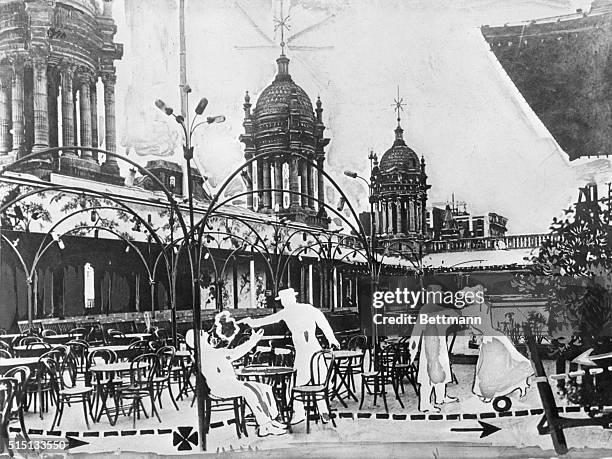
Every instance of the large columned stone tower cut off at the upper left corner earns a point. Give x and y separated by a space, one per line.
52 56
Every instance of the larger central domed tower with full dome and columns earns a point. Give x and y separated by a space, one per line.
282 130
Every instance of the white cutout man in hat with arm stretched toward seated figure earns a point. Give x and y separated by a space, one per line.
302 320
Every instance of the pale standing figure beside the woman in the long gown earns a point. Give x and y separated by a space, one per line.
434 365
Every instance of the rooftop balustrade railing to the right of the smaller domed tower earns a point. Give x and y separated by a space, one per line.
517 241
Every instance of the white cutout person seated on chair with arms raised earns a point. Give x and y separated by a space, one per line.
221 378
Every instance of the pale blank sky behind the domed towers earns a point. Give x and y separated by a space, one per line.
480 141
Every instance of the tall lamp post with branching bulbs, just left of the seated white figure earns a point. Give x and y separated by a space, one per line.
193 251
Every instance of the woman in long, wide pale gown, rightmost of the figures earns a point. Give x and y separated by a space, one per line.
500 369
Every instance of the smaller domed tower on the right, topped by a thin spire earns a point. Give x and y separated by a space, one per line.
399 191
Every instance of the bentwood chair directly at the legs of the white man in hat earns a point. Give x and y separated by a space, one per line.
318 388
